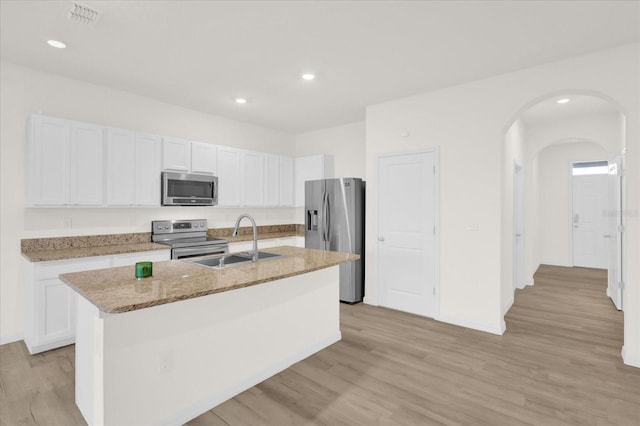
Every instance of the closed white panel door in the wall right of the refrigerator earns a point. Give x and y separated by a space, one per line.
406 233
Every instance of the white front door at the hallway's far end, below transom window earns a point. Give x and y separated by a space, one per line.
589 221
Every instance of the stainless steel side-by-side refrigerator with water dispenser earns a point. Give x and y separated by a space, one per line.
334 210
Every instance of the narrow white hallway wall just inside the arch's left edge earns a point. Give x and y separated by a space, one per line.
513 154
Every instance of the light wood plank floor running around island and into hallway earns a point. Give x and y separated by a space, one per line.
558 364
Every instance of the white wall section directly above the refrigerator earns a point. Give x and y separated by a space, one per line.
345 143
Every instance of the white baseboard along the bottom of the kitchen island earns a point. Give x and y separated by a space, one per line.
203 406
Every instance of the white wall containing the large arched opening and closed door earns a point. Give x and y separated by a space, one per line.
469 123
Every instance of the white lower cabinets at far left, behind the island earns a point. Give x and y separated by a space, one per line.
50 305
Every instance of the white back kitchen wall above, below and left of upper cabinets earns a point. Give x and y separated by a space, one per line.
25 91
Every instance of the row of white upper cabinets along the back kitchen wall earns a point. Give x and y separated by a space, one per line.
71 163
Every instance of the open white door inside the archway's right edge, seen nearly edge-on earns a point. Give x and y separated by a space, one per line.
614 290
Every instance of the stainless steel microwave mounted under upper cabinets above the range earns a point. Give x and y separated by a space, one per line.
189 189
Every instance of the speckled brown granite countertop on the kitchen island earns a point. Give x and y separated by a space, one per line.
116 290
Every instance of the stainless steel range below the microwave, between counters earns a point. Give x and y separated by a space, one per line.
187 238
